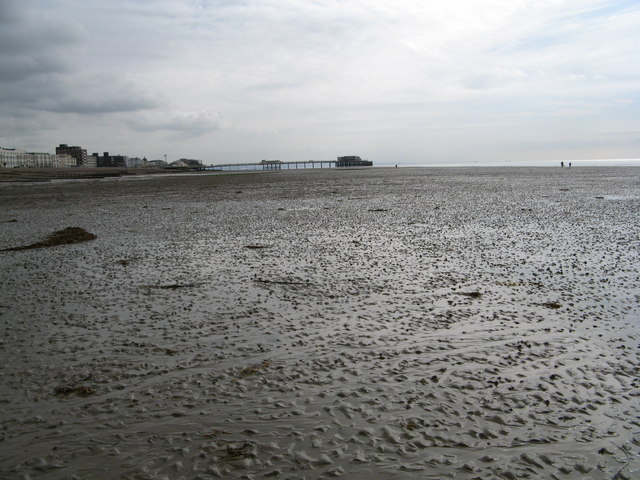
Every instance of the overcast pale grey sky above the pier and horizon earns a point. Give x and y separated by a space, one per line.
394 81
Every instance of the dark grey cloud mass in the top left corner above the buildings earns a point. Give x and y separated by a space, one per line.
43 67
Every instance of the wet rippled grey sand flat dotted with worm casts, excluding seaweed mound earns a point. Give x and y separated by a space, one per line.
380 323
